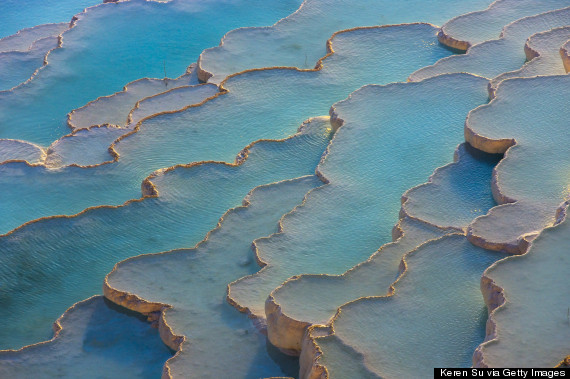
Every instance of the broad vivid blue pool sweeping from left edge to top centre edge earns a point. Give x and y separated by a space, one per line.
95 63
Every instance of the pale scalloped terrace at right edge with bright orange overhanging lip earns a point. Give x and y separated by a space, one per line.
535 121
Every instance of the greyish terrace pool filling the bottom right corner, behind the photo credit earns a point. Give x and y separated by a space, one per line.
532 316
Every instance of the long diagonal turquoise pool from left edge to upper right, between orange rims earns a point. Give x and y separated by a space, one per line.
222 126
